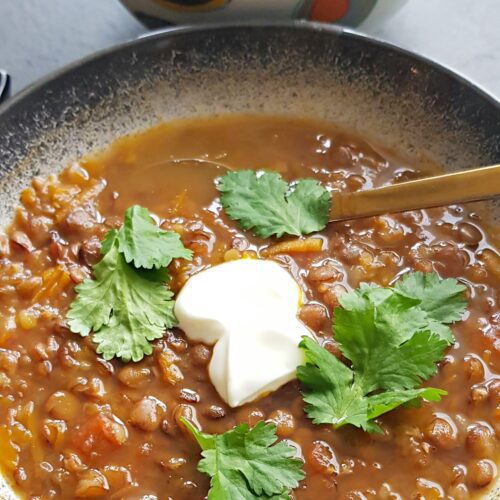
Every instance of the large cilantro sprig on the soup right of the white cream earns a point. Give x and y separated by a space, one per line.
393 338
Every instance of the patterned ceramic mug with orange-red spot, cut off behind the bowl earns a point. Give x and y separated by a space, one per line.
158 13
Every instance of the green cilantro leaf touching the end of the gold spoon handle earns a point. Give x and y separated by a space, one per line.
264 203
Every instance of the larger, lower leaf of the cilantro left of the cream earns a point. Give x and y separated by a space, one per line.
126 307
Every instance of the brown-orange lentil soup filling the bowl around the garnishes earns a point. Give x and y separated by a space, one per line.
75 425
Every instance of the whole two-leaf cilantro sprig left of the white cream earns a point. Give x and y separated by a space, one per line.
127 304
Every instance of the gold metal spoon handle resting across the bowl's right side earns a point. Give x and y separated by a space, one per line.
448 189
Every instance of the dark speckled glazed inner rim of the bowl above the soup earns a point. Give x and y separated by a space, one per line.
387 95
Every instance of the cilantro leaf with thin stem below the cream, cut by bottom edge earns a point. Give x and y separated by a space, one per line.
247 463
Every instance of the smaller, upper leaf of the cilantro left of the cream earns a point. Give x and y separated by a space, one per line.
145 244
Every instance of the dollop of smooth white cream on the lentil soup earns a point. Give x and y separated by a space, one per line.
248 309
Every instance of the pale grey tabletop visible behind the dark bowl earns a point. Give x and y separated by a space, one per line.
39 36
